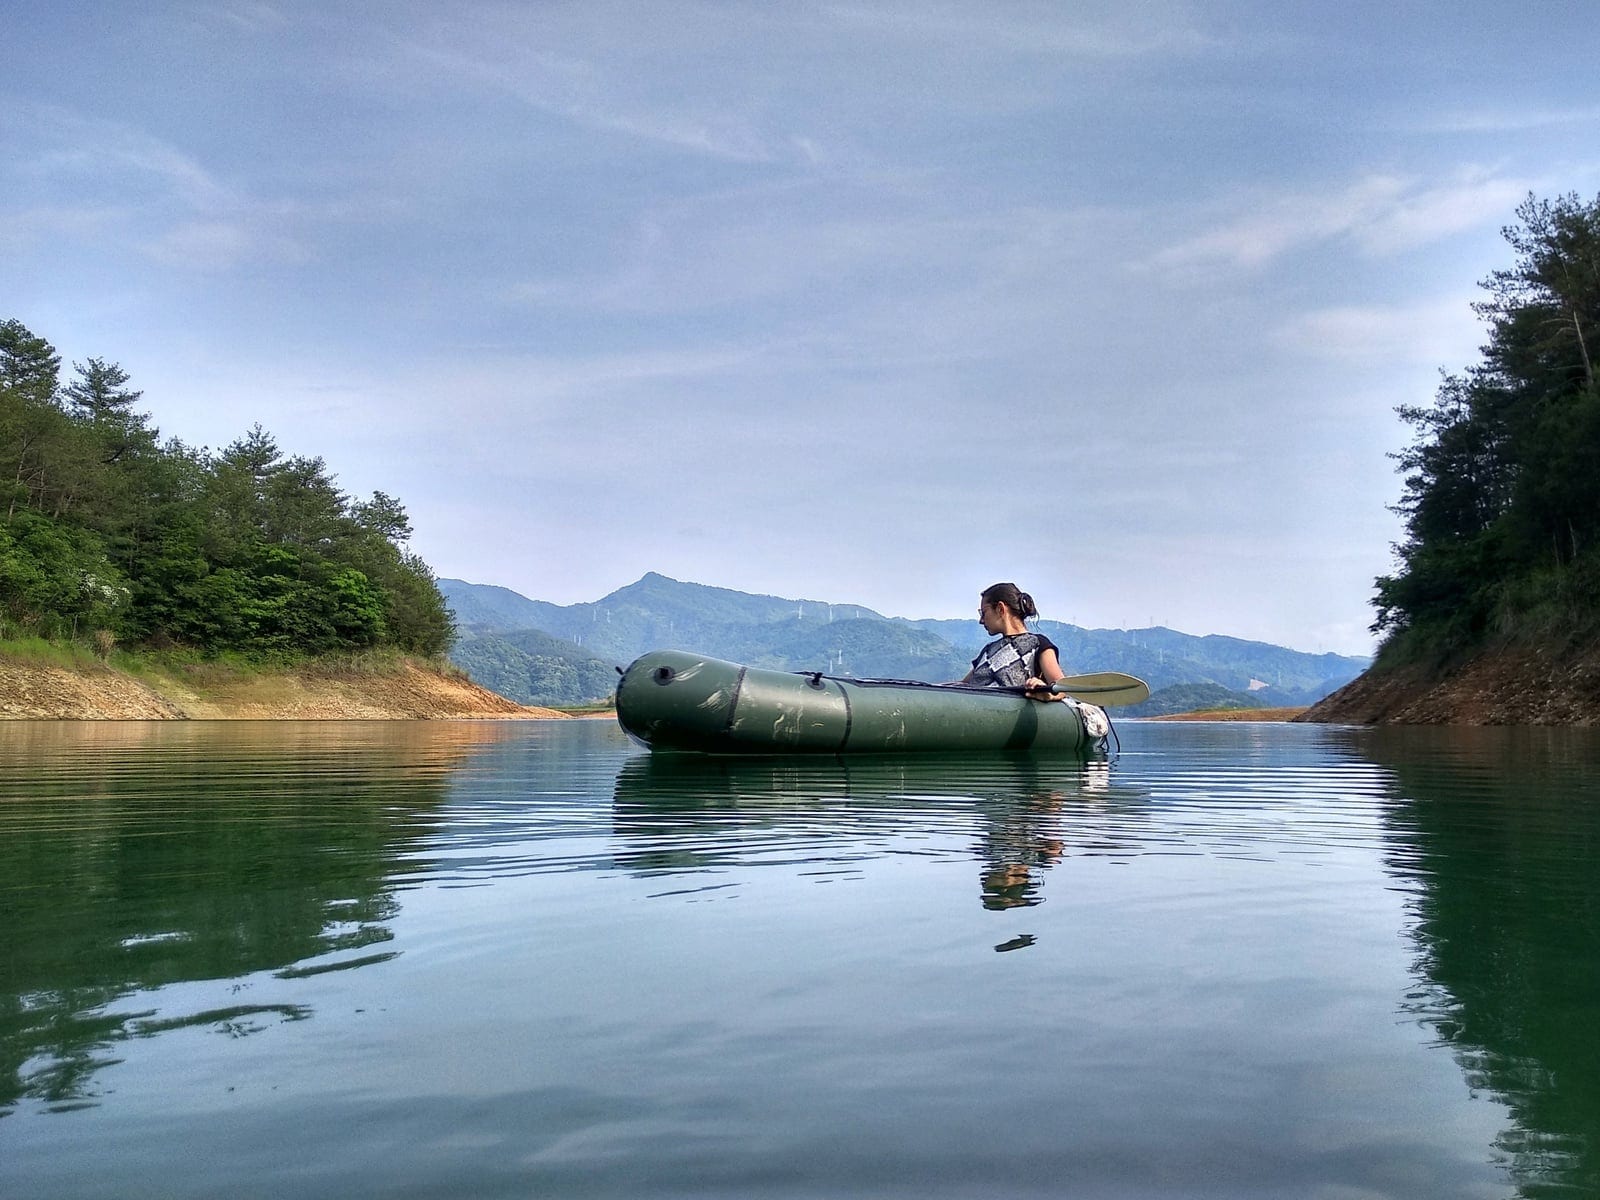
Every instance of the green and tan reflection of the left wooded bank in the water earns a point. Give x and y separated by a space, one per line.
137 857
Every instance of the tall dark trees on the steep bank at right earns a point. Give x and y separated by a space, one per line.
1502 492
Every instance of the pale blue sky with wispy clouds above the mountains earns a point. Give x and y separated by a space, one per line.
868 303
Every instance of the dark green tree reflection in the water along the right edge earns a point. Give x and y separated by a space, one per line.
1497 836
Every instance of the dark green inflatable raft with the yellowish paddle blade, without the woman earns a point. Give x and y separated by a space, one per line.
676 702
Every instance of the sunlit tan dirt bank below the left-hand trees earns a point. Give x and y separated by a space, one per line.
407 692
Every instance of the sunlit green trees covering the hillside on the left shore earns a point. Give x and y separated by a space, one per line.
111 534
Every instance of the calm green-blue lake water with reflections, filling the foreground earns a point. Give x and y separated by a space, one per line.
529 961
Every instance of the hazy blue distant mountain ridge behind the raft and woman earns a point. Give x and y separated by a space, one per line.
543 654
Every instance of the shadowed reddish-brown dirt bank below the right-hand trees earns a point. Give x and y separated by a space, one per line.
1508 686
